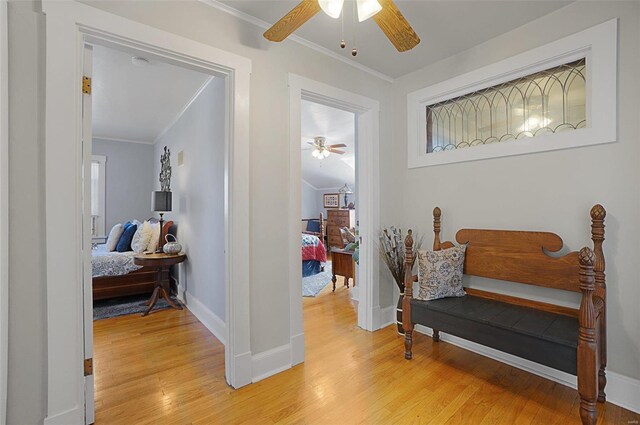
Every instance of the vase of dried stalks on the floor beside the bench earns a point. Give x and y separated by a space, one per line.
393 254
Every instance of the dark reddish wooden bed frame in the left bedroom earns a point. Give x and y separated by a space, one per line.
141 281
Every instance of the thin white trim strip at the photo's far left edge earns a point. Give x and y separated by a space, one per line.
4 208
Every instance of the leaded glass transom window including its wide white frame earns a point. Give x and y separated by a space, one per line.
557 96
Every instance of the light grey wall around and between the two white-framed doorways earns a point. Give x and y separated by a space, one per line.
269 173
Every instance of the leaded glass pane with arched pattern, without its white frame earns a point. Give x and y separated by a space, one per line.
549 101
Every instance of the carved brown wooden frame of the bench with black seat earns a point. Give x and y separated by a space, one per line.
519 256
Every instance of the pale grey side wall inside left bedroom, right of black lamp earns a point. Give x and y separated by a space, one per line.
198 194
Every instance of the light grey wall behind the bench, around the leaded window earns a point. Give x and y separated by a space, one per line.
545 191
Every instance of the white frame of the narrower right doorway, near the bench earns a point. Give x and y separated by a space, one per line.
367 145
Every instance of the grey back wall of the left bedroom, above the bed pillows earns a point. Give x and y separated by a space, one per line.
130 177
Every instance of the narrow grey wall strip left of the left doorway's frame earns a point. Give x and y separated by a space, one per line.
27 373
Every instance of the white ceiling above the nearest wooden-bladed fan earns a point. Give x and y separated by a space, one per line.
445 28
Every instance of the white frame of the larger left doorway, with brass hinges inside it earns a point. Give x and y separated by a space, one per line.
69 26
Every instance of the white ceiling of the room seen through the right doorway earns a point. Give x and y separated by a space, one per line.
337 126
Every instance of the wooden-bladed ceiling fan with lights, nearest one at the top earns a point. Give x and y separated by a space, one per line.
384 12
